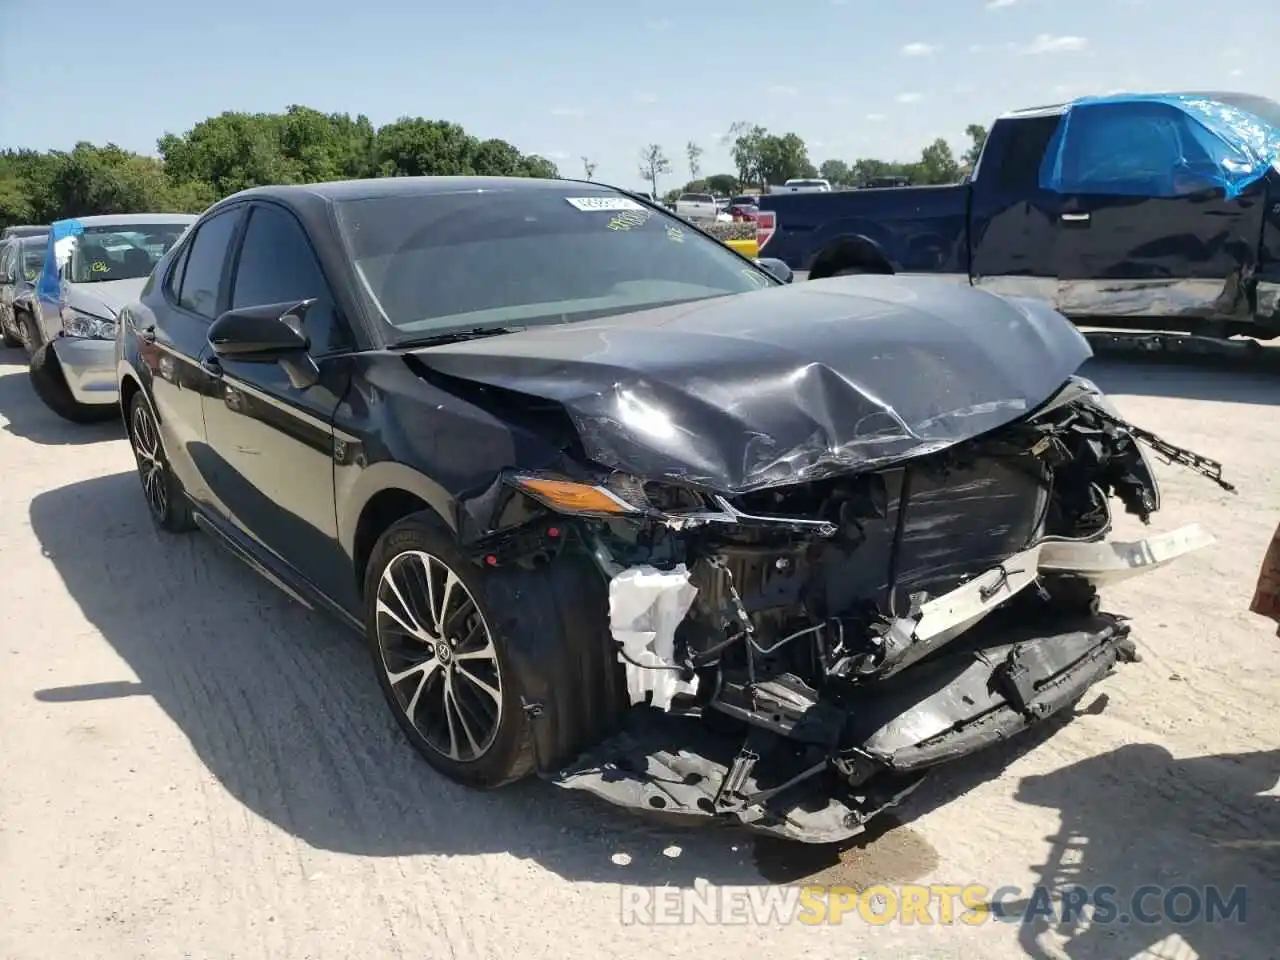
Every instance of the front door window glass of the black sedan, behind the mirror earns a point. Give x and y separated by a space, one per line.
277 264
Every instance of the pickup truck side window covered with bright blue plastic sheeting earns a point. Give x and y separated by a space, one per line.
1123 149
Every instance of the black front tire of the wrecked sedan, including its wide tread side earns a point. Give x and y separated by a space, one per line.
550 647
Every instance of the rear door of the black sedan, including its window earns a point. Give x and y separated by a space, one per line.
193 295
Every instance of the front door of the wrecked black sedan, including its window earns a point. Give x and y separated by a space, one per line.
272 441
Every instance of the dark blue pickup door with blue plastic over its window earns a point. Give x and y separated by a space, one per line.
1145 231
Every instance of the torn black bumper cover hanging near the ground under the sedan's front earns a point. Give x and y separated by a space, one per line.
953 707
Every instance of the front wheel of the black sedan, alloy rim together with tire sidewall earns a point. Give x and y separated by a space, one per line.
441 659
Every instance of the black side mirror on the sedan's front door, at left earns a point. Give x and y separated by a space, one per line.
271 333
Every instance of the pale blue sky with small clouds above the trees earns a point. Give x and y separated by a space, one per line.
572 80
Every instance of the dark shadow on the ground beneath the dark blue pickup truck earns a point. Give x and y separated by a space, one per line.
1228 381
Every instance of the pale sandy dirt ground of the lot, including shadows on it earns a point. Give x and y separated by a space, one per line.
198 767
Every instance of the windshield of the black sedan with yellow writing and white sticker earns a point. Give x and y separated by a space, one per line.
451 262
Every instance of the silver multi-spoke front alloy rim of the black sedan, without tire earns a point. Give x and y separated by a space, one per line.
440 657
